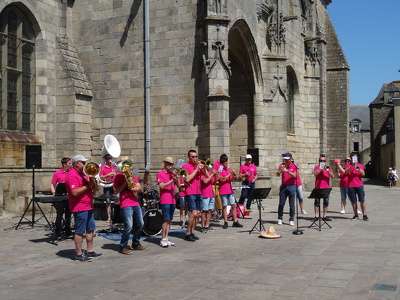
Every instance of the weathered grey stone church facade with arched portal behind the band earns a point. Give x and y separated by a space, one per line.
225 76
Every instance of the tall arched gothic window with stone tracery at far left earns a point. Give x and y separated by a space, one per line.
17 72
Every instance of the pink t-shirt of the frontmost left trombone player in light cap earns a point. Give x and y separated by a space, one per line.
84 201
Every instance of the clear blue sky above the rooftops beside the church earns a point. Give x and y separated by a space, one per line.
369 32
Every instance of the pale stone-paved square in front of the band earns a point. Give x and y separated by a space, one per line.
351 260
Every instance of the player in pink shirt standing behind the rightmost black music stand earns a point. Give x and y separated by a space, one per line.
323 173
